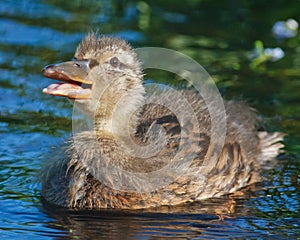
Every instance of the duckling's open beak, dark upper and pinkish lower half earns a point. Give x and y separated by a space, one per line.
73 75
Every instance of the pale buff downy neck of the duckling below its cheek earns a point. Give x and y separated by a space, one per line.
117 114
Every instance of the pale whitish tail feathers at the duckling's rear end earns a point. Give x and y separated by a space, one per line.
270 145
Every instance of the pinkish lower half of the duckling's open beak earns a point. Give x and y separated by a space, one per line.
67 90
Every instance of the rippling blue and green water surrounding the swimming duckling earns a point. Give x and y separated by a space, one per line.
219 35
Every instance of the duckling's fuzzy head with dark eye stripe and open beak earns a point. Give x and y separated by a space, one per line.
104 73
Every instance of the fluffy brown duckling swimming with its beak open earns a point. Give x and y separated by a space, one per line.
111 76
